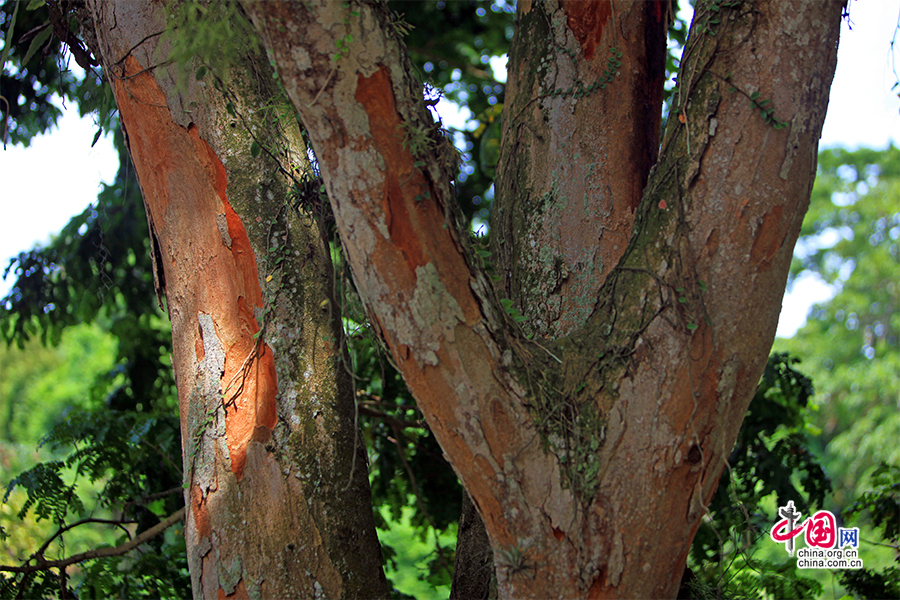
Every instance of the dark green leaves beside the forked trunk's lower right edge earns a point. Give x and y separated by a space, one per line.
770 457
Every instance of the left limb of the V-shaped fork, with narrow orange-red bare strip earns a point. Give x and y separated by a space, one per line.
381 158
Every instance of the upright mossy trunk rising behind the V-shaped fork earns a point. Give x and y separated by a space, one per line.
580 134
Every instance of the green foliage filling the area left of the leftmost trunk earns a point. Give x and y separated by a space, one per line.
113 459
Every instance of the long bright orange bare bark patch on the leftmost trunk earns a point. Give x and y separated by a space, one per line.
185 188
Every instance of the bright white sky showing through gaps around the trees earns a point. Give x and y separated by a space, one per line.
56 177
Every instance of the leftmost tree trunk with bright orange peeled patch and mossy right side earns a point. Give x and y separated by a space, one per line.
275 471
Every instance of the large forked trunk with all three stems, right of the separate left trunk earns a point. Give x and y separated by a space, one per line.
591 456
